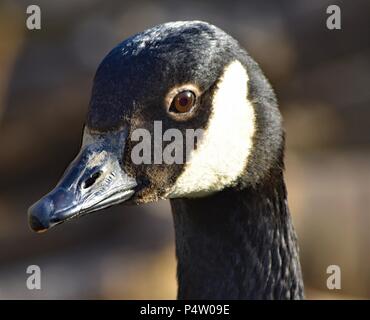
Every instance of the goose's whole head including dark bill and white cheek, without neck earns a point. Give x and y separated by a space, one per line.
180 110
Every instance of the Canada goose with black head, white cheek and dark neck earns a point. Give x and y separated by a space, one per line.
234 234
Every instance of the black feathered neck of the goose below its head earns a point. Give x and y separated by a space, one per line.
237 244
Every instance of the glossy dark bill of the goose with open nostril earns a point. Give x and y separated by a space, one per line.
94 180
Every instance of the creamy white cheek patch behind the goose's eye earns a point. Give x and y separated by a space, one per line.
222 154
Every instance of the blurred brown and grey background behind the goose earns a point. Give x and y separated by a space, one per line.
322 80
